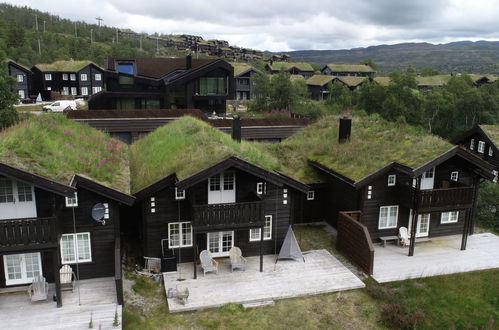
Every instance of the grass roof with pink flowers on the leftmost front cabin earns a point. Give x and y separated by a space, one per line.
57 148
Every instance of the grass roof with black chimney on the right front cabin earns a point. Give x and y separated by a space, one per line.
374 143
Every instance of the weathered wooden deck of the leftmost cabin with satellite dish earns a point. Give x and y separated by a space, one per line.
98 296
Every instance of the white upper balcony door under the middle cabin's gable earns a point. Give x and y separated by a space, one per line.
222 188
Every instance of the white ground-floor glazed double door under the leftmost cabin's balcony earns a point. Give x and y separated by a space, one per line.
22 268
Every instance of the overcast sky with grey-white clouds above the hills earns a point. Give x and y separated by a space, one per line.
282 25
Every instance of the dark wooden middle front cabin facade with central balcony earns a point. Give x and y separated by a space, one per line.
232 203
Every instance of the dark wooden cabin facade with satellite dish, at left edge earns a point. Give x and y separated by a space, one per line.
42 222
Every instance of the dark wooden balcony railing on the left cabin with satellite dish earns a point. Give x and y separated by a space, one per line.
18 234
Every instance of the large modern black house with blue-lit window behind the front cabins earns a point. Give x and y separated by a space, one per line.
165 83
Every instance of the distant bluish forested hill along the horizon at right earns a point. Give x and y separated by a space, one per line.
462 56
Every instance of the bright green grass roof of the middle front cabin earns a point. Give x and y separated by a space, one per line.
187 146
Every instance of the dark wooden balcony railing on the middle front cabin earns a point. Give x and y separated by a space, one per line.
228 216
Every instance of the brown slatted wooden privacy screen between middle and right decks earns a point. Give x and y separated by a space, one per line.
354 241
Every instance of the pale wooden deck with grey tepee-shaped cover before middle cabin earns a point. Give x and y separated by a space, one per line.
320 273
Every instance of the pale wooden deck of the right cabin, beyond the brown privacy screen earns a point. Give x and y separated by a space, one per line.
440 256
